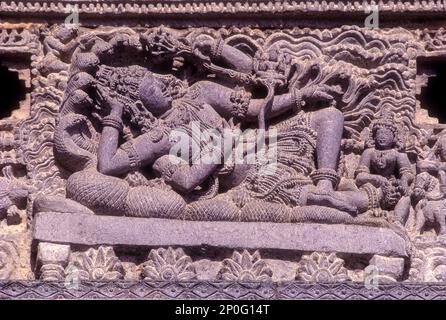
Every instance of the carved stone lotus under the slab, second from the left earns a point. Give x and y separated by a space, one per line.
168 265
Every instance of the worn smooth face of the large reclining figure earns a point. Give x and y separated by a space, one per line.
154 94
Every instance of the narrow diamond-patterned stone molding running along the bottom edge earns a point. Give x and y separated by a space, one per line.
219 290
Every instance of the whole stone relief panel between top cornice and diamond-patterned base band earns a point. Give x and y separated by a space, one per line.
304 130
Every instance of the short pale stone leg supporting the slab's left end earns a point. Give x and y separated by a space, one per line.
52 260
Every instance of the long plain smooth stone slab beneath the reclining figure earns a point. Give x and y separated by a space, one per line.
94 230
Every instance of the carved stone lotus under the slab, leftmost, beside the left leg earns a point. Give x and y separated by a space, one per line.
100 264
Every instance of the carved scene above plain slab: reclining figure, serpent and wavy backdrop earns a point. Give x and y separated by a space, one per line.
316 81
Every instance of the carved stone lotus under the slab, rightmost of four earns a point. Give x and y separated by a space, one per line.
322 267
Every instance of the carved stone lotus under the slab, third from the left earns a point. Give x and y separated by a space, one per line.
245 267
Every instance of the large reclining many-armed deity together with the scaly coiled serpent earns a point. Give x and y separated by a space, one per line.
308 147
